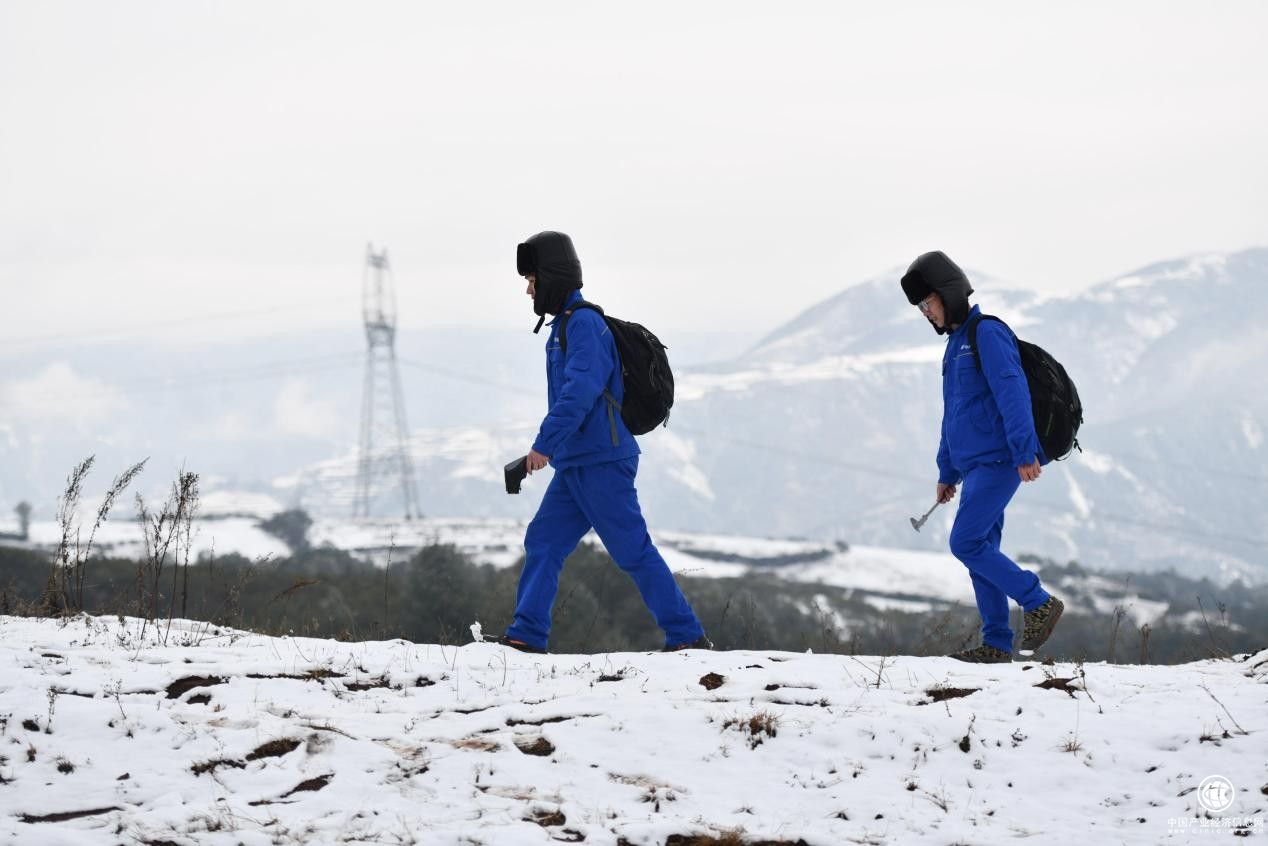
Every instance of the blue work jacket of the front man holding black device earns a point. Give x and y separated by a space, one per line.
584 426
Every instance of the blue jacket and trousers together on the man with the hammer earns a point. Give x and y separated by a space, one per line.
988 432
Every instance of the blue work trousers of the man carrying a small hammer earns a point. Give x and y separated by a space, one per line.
980 524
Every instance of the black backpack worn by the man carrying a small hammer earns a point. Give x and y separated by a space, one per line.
1054 399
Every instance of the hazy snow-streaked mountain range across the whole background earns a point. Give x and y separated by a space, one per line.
826 428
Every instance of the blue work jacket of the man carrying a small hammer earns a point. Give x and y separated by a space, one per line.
987 415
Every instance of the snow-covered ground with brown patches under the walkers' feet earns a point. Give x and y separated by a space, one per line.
111 736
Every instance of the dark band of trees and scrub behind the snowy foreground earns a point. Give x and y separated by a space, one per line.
436 595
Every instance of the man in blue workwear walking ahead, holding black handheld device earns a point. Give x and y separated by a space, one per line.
595 461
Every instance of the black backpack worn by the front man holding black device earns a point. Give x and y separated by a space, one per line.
645 372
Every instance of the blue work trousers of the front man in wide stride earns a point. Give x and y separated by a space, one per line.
599 497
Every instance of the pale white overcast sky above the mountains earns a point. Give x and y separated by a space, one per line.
718 166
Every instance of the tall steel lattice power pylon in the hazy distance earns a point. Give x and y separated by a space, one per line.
385 455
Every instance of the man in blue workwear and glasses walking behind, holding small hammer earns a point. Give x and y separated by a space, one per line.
988 448
